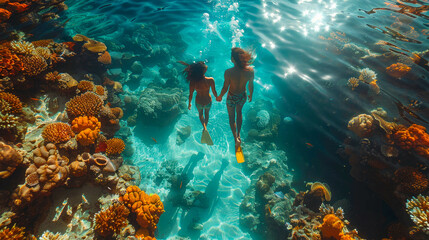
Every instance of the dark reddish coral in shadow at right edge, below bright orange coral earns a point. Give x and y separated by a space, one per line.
411 180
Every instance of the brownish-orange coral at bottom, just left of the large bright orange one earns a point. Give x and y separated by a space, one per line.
111 220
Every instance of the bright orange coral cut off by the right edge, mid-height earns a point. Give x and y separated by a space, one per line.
414 137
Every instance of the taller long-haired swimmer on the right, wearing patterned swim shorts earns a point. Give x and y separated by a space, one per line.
236 79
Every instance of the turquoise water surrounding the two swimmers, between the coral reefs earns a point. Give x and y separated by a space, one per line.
305 52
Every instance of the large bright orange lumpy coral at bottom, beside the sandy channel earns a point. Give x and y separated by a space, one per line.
147 208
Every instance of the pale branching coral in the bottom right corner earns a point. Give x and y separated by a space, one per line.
418 209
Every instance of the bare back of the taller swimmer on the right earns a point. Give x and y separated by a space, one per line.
238 79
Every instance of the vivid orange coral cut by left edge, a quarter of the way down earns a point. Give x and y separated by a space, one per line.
10 64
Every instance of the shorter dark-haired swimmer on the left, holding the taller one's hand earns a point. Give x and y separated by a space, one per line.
195 75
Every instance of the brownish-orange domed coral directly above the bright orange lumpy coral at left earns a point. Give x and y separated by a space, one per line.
87 104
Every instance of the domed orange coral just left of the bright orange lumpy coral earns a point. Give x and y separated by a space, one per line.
57 132
